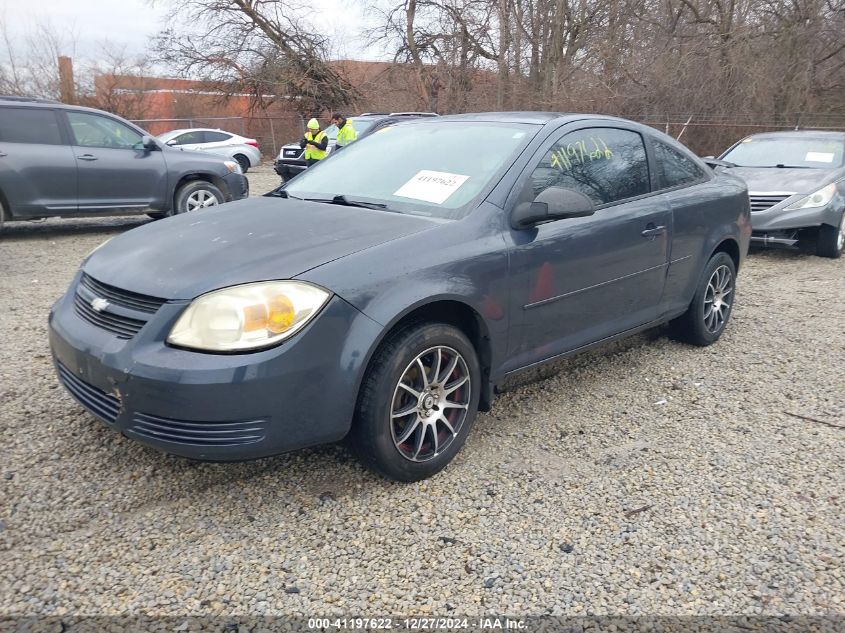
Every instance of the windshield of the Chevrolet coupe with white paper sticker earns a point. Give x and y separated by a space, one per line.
428 168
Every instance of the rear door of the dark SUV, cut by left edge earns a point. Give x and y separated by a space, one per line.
37 166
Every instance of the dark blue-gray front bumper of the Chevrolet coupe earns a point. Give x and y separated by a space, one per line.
221 407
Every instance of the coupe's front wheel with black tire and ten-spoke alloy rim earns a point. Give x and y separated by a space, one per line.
417 443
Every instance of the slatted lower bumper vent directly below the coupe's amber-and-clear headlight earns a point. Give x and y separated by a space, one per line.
198 433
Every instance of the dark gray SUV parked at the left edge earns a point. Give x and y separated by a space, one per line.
63 160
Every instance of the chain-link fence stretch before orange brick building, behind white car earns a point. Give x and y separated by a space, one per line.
270 132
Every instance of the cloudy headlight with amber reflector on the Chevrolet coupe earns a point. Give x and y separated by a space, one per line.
247 317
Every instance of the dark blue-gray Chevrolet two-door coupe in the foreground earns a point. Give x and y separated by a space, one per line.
384 293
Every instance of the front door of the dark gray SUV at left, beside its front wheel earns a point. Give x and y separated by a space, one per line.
115 173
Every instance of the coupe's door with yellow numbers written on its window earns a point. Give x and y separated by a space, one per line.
580 280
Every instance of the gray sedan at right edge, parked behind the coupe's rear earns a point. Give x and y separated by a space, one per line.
796 181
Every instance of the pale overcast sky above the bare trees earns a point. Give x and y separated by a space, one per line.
133 22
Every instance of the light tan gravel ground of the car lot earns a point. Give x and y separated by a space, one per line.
651 478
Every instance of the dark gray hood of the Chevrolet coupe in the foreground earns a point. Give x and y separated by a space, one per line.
251 240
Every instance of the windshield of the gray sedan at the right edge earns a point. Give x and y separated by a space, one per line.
817 152
